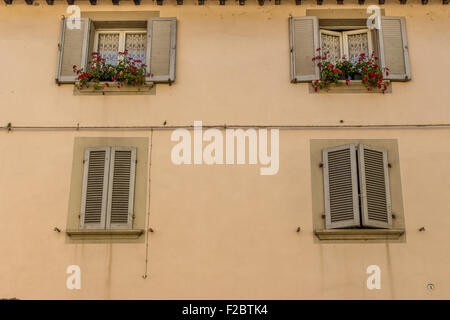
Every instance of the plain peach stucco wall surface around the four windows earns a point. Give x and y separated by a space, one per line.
220 231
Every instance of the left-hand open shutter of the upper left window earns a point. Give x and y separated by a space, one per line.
73 49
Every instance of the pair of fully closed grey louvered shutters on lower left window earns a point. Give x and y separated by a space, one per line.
108 188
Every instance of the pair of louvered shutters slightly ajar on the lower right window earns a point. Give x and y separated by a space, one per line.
356 187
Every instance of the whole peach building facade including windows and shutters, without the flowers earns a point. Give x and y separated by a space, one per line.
95 178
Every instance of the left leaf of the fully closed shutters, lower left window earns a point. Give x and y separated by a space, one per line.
95 188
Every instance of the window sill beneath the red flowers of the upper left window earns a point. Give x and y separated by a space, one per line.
115 89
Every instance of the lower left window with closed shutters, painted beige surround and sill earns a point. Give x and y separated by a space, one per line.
108 191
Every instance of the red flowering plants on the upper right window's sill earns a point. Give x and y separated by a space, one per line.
366 69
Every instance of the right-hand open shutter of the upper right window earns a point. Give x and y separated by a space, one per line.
393 45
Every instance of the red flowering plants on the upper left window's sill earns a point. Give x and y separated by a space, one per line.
101 75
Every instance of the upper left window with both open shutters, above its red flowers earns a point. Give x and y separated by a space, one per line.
153 42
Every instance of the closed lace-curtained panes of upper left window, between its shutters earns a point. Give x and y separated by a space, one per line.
110 42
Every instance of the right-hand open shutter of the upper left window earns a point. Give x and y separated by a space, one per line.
161 45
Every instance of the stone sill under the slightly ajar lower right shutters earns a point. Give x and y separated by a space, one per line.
359 234
